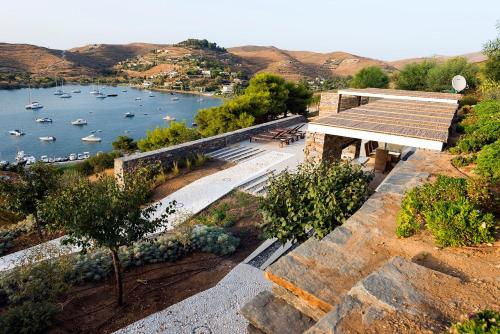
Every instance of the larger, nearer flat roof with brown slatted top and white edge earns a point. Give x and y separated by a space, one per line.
405 122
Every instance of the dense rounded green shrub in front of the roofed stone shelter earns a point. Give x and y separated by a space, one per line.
317 196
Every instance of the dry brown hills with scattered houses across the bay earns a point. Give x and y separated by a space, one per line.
150 61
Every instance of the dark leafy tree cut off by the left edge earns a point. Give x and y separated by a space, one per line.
24 194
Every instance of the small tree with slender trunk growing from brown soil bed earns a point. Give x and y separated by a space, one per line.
107 213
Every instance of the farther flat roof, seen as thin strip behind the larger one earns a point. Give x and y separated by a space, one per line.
398 94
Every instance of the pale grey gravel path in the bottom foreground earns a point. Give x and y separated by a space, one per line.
213 311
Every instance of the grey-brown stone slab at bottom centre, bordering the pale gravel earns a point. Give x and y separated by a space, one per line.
272 315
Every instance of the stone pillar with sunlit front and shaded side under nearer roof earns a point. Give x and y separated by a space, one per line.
325 147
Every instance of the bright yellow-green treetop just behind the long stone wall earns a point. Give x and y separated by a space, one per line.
176 133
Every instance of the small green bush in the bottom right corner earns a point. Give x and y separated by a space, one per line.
484 322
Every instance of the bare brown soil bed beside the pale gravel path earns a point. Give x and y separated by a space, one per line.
152 288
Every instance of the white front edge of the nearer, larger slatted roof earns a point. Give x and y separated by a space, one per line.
376 136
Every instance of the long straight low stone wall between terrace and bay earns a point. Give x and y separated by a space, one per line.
166 156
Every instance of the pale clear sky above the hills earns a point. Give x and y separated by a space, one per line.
387 30
